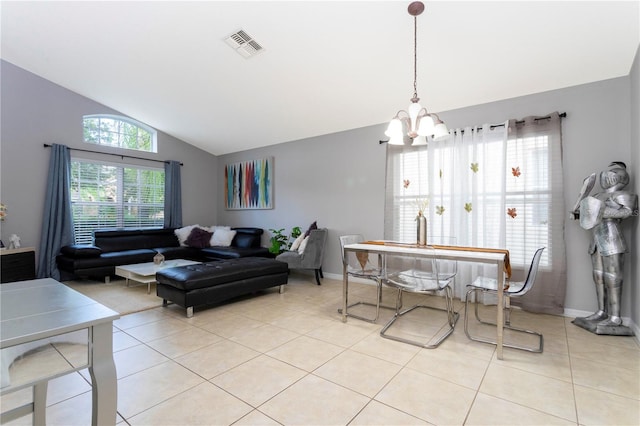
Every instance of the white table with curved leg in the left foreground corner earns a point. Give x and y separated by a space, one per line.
46 318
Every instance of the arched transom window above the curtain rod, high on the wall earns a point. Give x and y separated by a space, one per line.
119 132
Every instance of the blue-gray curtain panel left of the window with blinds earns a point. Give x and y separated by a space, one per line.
57 219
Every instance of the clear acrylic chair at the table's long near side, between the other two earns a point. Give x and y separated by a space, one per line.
422 275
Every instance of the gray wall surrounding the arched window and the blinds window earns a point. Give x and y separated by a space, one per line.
36 111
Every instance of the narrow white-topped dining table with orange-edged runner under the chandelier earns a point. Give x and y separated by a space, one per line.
494 256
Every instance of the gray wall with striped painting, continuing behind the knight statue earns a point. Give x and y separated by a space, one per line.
338 179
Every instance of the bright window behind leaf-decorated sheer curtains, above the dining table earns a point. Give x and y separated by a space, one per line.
471 206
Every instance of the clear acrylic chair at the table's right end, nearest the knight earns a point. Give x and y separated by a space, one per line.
515 289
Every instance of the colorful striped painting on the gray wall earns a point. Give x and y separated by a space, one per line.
249 184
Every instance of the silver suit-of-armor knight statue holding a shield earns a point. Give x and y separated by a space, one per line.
603 213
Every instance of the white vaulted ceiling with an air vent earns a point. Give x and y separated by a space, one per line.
327 66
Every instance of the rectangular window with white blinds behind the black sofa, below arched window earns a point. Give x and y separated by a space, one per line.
106 195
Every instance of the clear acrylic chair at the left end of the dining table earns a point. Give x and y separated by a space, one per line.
363 265
